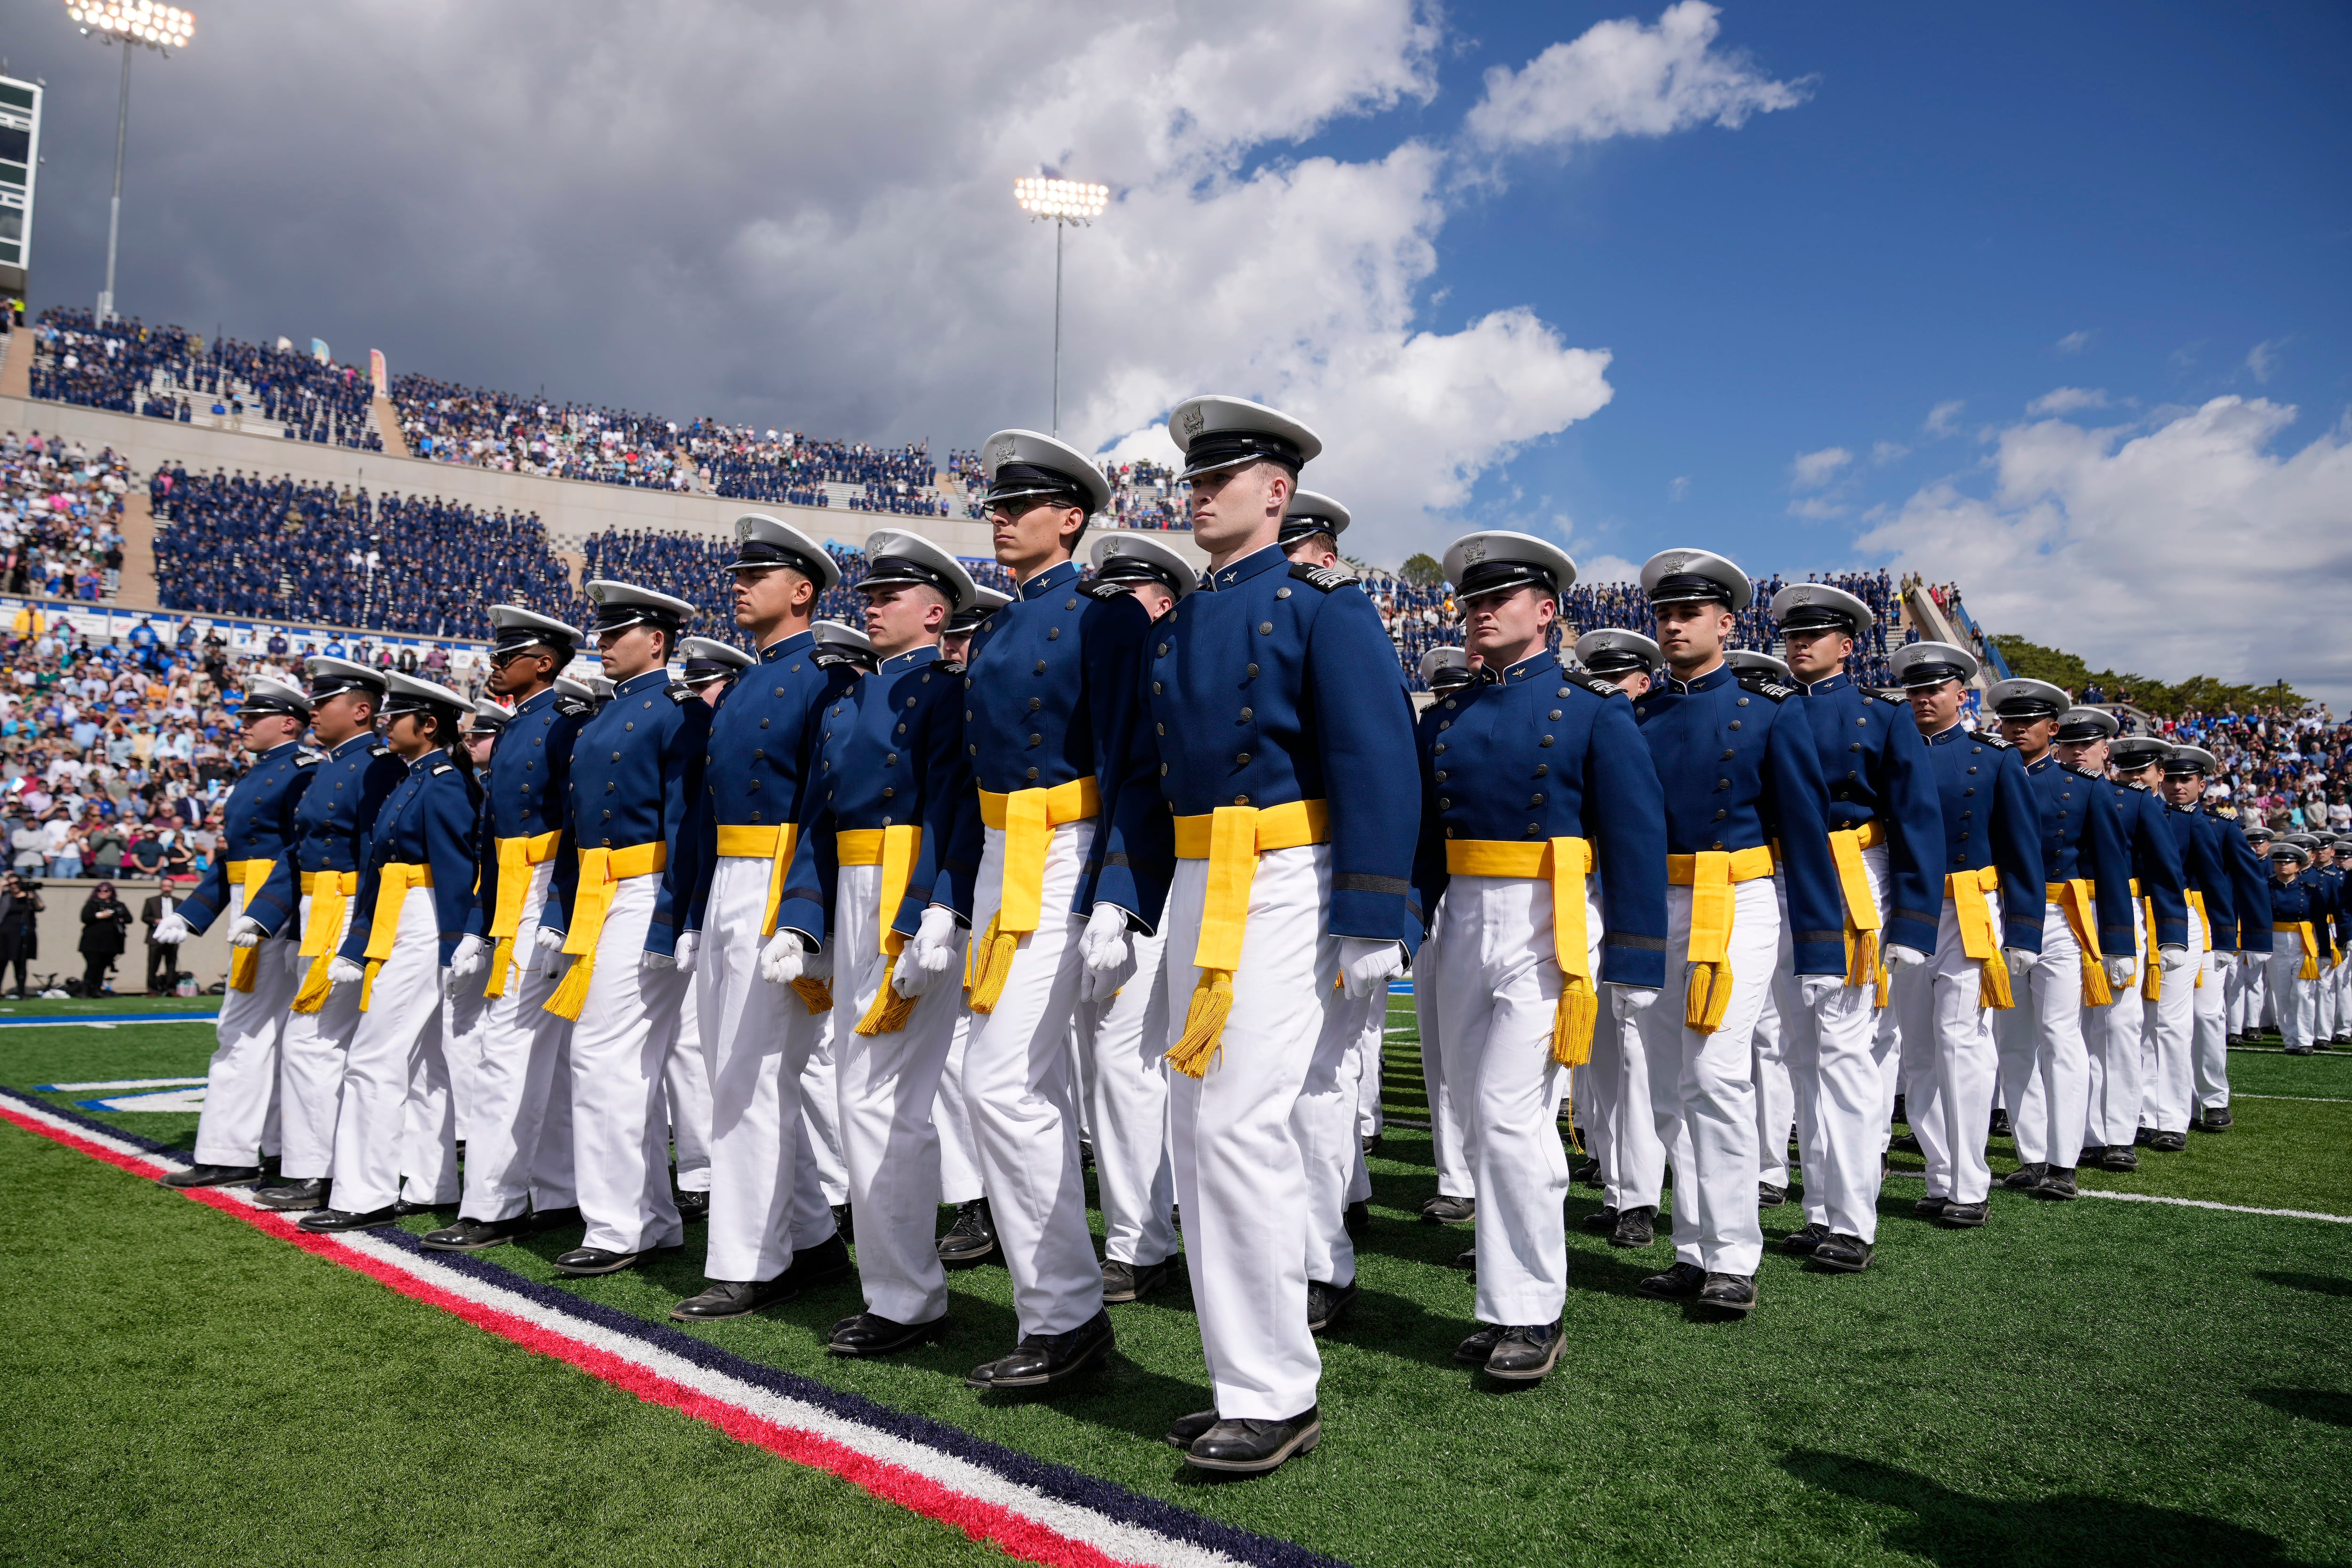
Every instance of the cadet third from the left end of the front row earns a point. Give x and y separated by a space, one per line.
406 925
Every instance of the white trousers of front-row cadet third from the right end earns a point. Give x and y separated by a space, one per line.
888 1087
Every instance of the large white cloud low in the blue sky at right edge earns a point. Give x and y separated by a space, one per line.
2186 549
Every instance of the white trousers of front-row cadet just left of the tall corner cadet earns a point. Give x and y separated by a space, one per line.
1022 1094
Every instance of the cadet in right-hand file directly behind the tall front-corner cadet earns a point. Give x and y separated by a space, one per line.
1551 864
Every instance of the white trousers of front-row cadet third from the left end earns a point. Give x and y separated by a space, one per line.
399 1031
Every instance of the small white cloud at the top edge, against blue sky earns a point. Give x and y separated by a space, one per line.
1624 79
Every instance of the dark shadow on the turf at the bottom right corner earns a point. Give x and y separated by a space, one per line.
1963 1532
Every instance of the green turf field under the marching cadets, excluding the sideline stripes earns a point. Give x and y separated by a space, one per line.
2078 1386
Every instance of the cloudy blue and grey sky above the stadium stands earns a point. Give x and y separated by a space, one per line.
2043 300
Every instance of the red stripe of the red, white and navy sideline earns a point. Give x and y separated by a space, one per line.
1013 1534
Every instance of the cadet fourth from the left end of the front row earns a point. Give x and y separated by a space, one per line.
519 1146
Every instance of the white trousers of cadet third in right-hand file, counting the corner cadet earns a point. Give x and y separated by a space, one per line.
1704 1087
